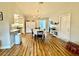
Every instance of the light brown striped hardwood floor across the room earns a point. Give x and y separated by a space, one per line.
31 47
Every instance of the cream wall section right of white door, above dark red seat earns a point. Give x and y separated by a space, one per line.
75 27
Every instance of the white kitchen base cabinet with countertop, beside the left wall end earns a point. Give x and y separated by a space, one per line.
15 36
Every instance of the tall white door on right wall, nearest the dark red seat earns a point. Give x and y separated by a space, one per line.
65 27
